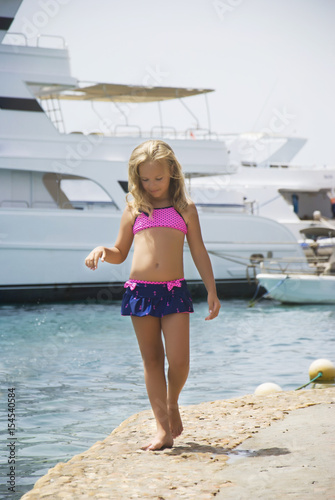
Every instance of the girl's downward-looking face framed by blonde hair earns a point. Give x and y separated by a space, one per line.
155 179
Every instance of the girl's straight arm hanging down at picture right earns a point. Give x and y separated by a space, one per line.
201 259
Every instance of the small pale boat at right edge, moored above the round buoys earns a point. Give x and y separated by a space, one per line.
313 286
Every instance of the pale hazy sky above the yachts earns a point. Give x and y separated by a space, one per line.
271 62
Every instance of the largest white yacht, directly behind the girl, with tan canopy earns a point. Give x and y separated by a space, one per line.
62 192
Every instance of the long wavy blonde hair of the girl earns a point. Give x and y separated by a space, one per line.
148 151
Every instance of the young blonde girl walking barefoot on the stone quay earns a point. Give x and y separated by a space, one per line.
158 218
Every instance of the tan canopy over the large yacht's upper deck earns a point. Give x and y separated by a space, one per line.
112 92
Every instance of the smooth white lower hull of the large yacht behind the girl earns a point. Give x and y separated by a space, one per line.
43 254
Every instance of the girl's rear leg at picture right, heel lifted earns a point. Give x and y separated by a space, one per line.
176 333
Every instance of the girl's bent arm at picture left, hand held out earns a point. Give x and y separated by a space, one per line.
118 253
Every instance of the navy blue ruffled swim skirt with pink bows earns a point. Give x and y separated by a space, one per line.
156 299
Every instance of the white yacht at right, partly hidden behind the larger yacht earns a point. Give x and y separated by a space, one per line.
264 181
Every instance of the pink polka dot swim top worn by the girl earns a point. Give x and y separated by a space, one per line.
161 217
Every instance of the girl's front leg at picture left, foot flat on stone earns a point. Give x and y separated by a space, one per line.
148 332
